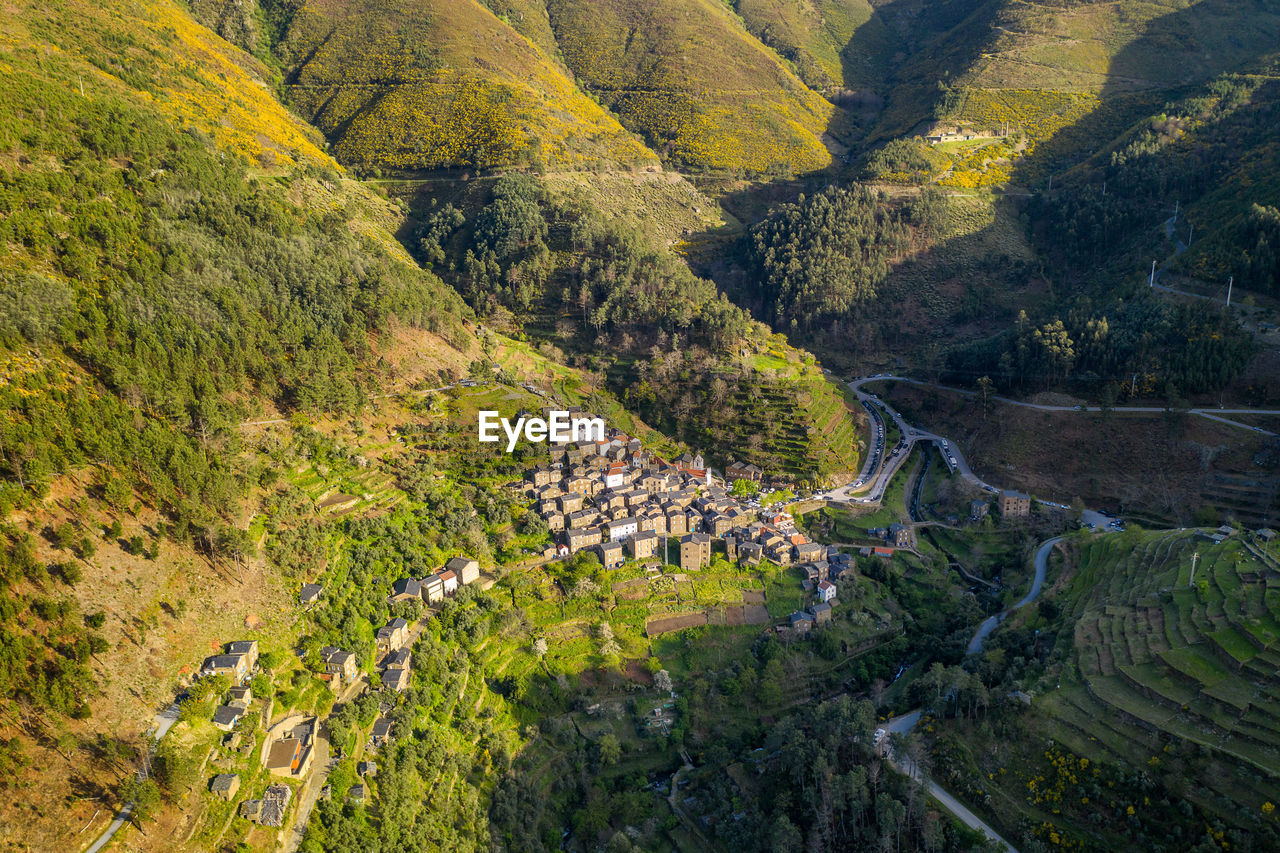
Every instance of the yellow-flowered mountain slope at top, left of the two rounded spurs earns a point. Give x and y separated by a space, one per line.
429 84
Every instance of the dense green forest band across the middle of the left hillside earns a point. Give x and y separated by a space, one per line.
131 326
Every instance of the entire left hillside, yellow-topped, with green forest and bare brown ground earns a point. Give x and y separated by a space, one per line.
180 256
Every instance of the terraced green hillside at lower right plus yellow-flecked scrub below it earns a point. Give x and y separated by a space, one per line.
1163 674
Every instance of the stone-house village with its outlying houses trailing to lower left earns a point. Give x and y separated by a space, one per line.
692 548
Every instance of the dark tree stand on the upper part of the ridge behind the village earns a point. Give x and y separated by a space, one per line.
556 261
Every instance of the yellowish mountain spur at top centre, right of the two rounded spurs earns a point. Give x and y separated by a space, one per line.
689 79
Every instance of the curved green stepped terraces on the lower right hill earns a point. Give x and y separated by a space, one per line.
1167 658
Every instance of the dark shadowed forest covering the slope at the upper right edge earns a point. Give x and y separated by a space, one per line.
1188 157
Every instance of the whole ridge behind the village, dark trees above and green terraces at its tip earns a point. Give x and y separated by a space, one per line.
598 294
